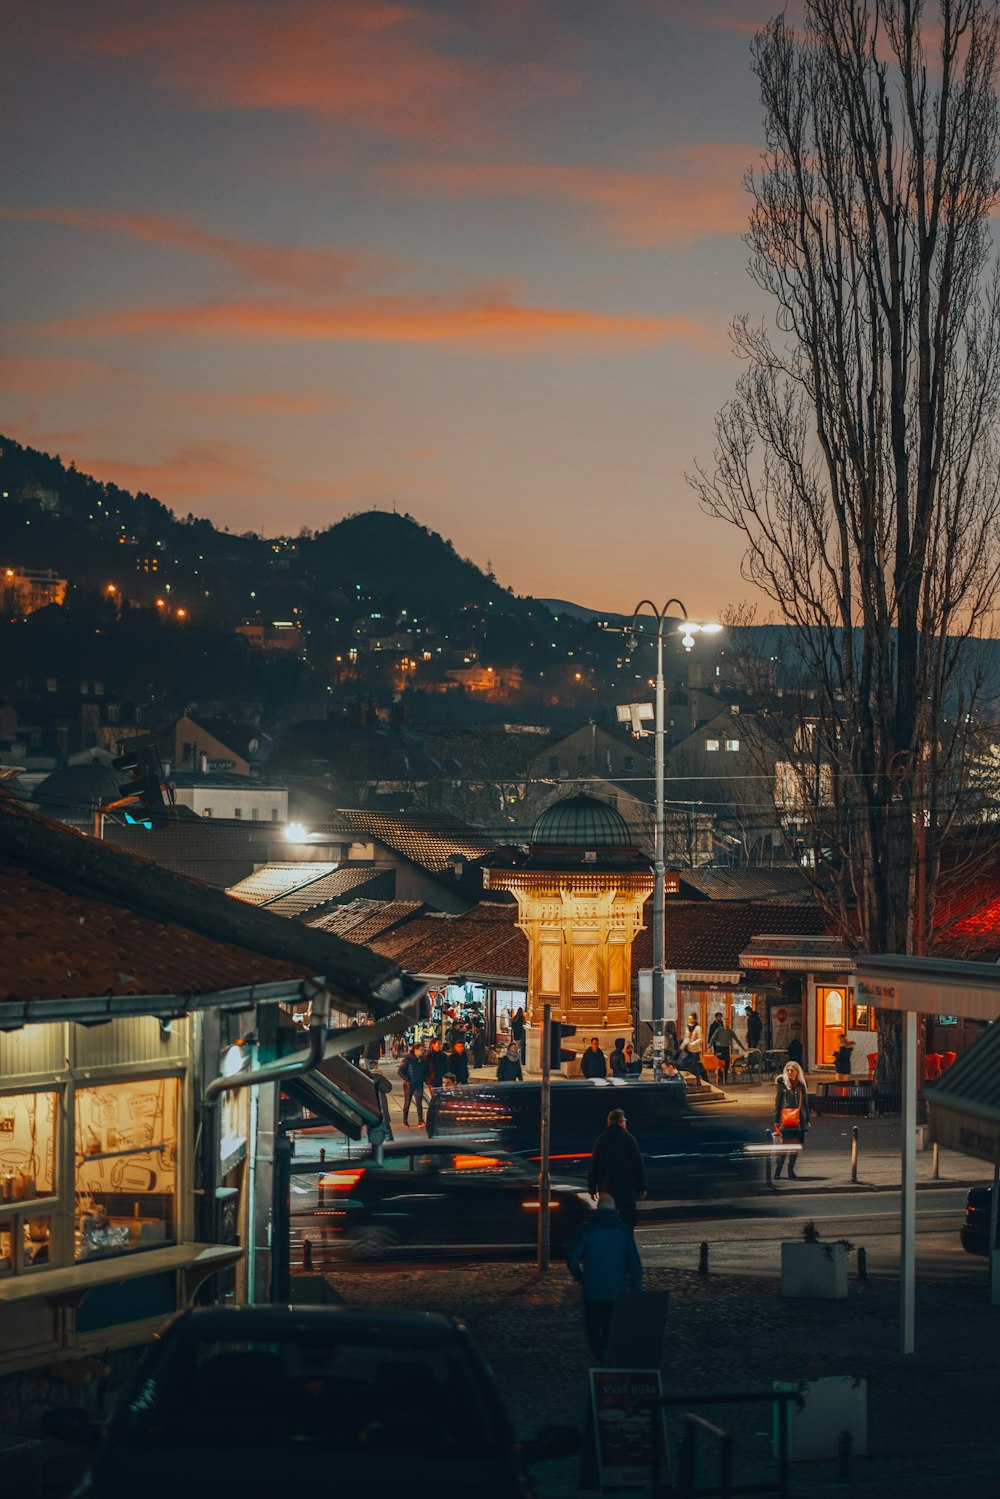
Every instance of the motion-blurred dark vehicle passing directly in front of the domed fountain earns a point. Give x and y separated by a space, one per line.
689 1150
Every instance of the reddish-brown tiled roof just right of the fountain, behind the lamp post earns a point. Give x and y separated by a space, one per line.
710 936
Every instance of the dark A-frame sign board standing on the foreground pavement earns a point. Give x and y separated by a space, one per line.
626 1428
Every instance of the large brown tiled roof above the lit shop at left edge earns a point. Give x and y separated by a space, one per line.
79 917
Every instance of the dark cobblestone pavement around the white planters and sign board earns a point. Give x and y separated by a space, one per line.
932 1423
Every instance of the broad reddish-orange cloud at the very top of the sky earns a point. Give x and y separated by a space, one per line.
392 68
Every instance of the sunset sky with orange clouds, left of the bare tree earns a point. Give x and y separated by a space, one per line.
280 262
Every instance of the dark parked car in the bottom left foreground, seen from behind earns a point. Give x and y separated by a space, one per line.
320 1401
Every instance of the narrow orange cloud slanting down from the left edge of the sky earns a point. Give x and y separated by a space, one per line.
287 266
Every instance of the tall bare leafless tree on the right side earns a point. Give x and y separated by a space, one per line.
860 453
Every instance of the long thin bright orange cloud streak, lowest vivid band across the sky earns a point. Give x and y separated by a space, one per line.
491 322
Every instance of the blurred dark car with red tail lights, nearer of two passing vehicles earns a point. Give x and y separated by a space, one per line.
437 1195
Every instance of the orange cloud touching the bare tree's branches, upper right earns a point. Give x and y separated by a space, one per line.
701 193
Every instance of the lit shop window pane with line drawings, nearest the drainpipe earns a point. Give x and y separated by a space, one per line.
127 1167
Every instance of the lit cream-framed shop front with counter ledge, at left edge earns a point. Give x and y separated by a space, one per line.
97 1174
